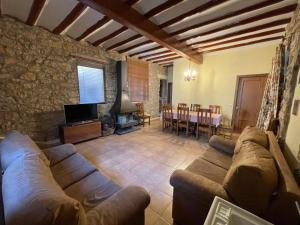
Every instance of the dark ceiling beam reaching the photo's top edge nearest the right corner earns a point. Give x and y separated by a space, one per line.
228 16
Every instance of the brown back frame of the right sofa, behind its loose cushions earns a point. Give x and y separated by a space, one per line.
283 209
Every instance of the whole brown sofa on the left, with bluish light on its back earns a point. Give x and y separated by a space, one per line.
59 186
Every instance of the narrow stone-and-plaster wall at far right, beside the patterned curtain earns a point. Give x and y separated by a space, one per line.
289 124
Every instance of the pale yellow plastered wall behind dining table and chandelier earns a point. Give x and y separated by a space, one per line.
216 77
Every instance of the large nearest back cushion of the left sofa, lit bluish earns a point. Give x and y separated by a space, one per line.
31 195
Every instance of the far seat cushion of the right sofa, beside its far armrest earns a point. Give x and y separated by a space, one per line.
218 158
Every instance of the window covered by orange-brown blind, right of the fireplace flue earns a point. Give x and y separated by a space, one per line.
138 79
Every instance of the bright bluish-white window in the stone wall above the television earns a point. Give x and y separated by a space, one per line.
91 84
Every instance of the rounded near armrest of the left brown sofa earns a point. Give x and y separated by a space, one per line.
125 207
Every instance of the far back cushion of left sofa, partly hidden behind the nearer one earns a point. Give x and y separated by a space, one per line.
16 145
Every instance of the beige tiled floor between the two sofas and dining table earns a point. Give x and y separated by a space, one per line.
147 158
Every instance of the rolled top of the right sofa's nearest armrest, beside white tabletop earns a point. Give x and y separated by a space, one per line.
197 185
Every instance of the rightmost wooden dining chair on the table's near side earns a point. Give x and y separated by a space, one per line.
204 122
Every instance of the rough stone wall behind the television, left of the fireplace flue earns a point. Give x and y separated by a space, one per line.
38 75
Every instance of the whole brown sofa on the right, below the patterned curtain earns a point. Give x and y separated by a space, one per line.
252 173
